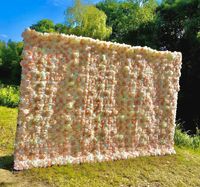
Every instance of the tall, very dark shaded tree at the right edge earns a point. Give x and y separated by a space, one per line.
178 26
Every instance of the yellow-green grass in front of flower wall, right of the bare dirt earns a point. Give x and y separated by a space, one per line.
182 169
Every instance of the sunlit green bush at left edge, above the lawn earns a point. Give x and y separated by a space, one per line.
9 95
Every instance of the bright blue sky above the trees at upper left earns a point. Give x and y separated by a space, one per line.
17 15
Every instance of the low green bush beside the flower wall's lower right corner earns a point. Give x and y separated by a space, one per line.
182 139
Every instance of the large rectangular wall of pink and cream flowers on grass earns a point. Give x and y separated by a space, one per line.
85 100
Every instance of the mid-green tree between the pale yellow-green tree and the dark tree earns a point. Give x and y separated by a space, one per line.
127 16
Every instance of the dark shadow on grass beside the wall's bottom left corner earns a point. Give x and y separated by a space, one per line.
6 162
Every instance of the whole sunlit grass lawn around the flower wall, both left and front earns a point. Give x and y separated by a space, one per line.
182 169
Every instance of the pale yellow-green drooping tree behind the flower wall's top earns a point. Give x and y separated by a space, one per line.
87 20
